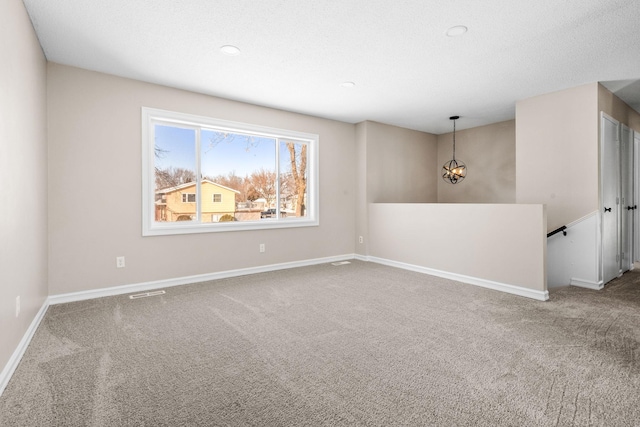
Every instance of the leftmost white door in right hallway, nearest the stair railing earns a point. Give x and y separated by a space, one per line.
610 173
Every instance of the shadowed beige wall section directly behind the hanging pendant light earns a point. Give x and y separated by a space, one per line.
490 155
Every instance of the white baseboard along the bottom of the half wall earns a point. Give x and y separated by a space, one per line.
503 287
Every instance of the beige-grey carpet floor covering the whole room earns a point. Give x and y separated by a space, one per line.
354 345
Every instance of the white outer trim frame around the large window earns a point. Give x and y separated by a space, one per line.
152 228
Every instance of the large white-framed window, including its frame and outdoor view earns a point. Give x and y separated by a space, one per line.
202 175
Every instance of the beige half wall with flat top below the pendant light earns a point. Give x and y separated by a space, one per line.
502 243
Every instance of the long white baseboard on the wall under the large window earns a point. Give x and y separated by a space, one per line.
156 284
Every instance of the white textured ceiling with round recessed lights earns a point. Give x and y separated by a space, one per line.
407 71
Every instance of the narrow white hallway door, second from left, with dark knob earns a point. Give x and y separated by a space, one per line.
627 205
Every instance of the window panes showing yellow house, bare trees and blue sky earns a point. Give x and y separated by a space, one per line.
244 177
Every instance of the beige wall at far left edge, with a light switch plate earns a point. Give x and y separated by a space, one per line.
23 175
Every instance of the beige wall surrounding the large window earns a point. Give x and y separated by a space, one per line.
95 150
